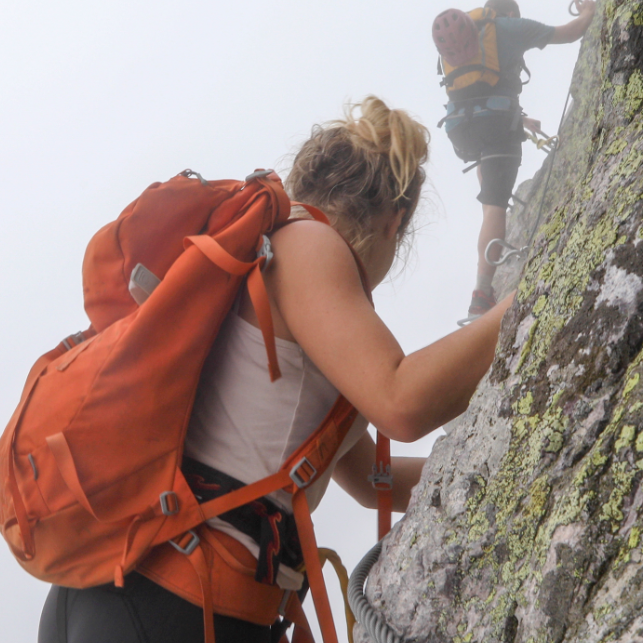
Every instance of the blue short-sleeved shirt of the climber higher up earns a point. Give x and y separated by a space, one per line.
515 36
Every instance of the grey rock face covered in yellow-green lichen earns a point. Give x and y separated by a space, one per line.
527 525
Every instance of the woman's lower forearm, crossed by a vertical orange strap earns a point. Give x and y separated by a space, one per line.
352 471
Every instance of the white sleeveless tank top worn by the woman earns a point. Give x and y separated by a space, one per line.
247 426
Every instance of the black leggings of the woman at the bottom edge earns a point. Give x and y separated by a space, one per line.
141 612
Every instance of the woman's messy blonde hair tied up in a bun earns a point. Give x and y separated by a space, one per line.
362 167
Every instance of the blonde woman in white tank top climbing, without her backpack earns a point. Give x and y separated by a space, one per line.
365 172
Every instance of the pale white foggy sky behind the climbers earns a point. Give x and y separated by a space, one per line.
100 100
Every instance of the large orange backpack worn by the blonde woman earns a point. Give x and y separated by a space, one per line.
90 480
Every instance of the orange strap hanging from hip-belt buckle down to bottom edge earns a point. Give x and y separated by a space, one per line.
313 566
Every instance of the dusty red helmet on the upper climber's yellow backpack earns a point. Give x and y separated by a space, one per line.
456 37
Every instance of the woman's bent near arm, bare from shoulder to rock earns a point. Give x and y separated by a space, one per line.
315 287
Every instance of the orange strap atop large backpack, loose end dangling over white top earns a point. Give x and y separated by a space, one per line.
256 289
